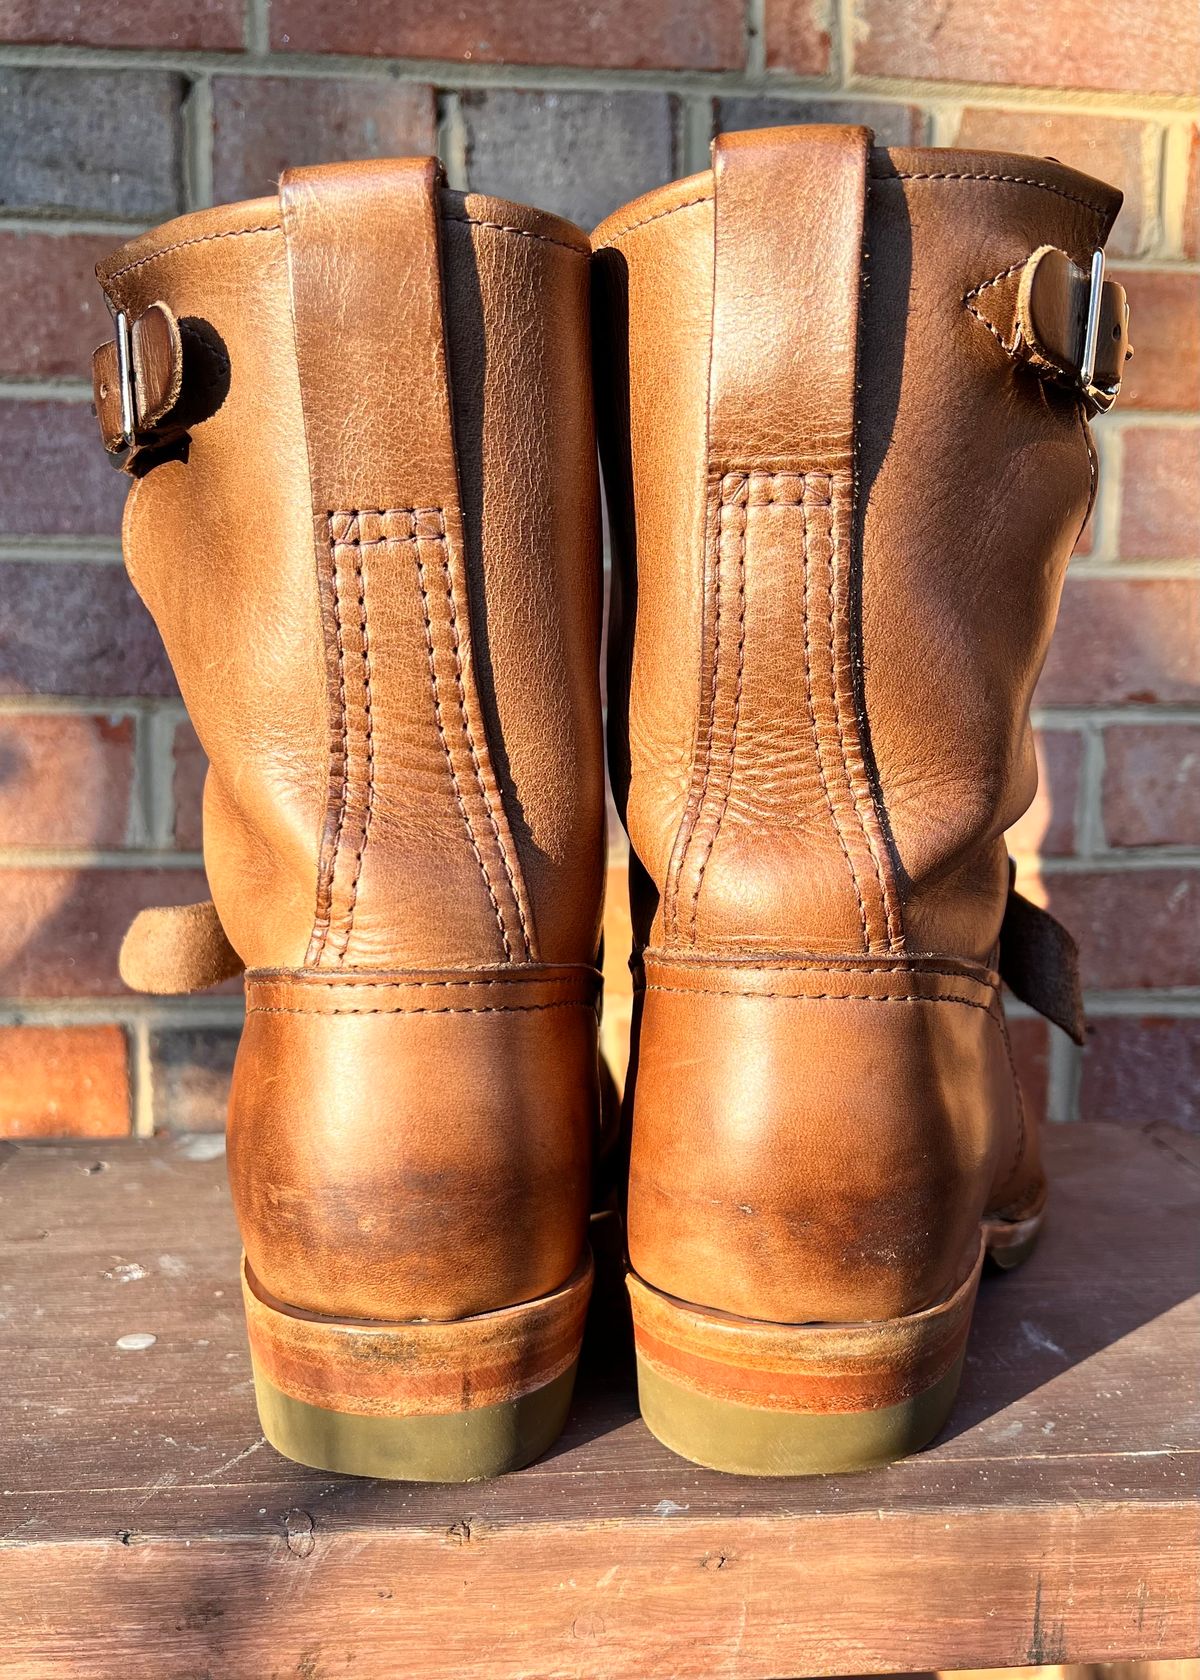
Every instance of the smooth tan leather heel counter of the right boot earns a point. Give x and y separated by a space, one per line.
818 1142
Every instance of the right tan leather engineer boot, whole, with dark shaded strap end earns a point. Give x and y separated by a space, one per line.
846 399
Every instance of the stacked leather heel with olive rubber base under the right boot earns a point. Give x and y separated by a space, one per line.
764 1399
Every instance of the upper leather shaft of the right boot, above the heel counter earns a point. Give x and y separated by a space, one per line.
843 522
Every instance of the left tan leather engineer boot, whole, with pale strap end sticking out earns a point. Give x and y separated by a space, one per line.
364 515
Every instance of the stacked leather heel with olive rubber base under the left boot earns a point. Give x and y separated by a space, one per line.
418 1402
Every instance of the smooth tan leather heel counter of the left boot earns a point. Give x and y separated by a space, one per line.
414 1147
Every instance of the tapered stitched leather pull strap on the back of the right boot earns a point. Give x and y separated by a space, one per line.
781 708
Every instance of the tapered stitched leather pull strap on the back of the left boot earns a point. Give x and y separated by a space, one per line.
366 278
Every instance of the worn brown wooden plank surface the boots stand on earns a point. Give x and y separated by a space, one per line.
145 1528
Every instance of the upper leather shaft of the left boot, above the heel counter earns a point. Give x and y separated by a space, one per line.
376 567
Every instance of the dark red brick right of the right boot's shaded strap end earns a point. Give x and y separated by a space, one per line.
1135 927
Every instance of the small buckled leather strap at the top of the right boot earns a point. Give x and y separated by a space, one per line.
1066 323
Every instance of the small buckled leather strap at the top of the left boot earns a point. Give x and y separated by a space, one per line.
137 384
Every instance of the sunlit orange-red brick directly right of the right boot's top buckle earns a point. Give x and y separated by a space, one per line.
1166 332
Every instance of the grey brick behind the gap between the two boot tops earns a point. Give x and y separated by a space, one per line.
576 154
